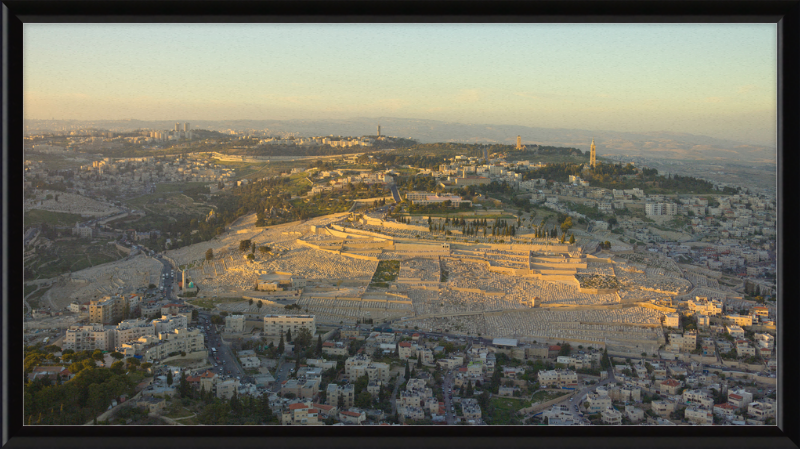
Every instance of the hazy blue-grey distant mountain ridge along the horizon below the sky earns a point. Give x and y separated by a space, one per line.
661 144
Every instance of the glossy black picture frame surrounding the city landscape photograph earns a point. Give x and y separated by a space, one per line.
15 13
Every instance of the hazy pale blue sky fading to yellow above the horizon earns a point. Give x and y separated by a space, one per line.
712 79
